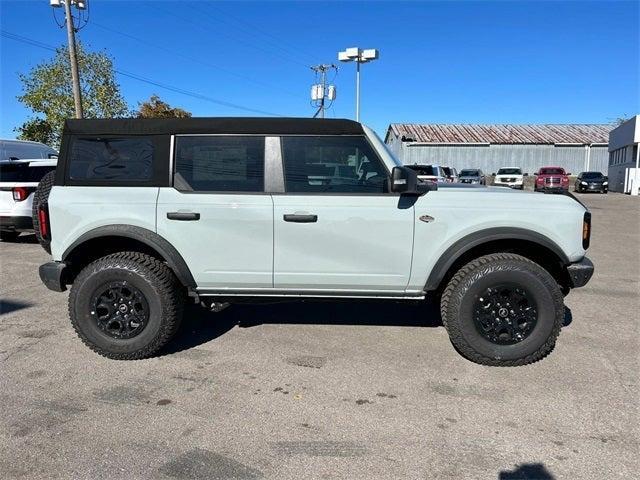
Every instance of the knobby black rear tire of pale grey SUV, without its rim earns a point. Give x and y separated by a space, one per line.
153 278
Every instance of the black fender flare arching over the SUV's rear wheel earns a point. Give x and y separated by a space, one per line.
151 239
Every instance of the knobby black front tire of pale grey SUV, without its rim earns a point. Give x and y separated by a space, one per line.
460 294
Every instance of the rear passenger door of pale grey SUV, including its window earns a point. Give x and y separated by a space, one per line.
217 214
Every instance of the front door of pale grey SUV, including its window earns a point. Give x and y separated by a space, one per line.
336 227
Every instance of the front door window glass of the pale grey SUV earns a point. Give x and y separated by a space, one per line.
332 164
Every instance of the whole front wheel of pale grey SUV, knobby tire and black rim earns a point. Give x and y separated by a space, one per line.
503 310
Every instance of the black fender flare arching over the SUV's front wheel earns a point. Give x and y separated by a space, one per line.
460 247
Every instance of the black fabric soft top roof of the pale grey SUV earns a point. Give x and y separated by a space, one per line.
220 125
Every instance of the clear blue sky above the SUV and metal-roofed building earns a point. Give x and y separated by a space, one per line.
440 62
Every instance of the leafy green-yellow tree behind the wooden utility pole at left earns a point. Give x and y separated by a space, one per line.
46 90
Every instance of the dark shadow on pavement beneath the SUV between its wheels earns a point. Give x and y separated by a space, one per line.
200 326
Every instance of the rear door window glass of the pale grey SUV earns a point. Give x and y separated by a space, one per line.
220 163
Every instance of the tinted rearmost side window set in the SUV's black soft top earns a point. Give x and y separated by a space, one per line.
124 159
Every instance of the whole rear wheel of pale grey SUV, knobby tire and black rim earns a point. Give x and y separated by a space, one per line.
126 306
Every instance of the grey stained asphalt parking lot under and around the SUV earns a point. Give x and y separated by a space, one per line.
325 390
